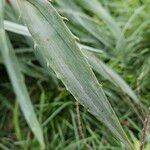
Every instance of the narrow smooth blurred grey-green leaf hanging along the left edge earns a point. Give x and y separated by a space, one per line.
17 80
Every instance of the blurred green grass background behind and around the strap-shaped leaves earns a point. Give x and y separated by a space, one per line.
54 106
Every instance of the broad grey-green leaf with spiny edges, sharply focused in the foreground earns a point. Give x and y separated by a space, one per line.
57 46
